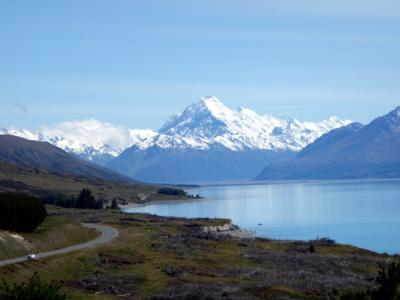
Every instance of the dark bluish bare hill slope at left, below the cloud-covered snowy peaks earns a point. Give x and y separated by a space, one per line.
43 155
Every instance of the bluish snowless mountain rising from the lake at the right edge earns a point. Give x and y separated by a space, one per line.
354 151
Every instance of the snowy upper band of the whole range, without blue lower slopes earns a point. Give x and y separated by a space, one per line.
207 123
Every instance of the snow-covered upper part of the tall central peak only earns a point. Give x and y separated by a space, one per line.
209 122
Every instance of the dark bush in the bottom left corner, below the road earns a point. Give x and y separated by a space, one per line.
32 289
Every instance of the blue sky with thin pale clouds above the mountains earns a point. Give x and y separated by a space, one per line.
137 62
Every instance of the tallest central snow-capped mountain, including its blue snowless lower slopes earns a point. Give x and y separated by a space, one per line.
210 142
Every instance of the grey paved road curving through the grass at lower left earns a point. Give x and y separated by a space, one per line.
107 234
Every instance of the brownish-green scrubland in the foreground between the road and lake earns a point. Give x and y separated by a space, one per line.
174 258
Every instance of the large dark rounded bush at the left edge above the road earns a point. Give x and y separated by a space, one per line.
21 213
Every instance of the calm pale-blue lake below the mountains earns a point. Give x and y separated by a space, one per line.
364 213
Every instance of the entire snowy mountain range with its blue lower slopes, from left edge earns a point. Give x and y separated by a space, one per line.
206 142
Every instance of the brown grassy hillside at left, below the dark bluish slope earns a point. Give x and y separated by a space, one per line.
40 182
